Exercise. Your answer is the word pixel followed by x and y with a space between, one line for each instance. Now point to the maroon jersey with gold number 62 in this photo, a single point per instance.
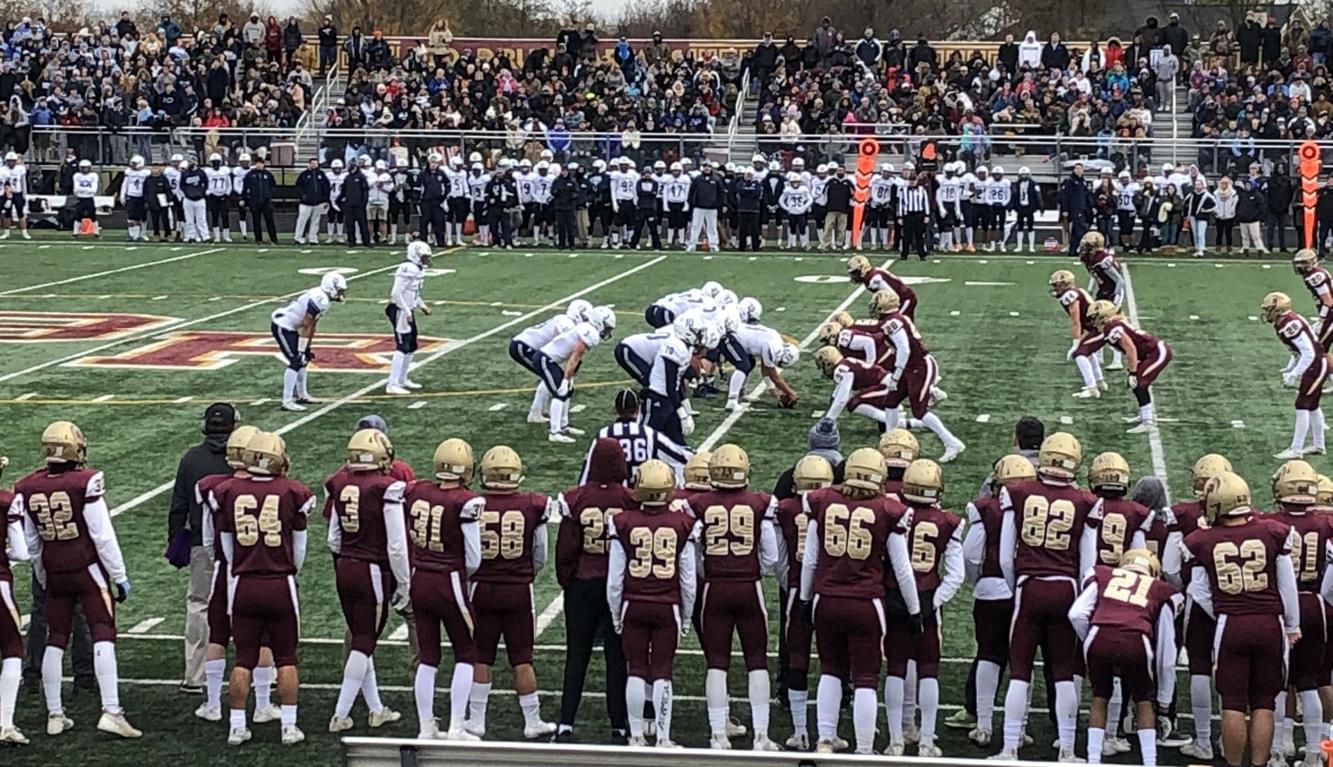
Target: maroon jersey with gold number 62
pixel 1242 565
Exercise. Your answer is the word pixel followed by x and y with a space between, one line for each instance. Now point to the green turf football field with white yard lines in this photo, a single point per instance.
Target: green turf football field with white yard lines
pixel 133 342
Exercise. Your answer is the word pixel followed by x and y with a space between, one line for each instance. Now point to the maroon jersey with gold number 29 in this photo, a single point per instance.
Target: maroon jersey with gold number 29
pixel 731 532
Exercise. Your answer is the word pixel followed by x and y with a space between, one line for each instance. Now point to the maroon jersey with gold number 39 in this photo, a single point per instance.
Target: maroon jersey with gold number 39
pixel 653 544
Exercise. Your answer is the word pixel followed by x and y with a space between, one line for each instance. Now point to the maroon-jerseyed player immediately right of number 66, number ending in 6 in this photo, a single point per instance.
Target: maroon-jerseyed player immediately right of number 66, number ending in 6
pixel 936 545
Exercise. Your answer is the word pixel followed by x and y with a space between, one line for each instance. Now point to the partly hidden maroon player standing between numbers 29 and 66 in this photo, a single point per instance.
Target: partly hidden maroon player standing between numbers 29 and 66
pixel 811 473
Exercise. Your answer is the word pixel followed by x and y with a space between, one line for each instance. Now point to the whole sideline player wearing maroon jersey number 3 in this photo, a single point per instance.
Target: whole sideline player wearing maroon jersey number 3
pixel 369 537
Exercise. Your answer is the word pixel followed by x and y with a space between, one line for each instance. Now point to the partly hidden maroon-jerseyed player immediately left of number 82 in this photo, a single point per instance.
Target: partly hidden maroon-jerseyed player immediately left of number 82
pixel 992 597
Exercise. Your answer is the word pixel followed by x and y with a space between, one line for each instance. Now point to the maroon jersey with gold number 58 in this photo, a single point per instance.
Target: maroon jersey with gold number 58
pixel 510 522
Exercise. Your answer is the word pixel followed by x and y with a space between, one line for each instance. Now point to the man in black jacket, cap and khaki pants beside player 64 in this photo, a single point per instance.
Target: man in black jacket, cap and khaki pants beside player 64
pixel 185 514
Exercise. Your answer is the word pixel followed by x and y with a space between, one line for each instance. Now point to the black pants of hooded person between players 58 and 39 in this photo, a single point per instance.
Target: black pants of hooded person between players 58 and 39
pixel 587 621
